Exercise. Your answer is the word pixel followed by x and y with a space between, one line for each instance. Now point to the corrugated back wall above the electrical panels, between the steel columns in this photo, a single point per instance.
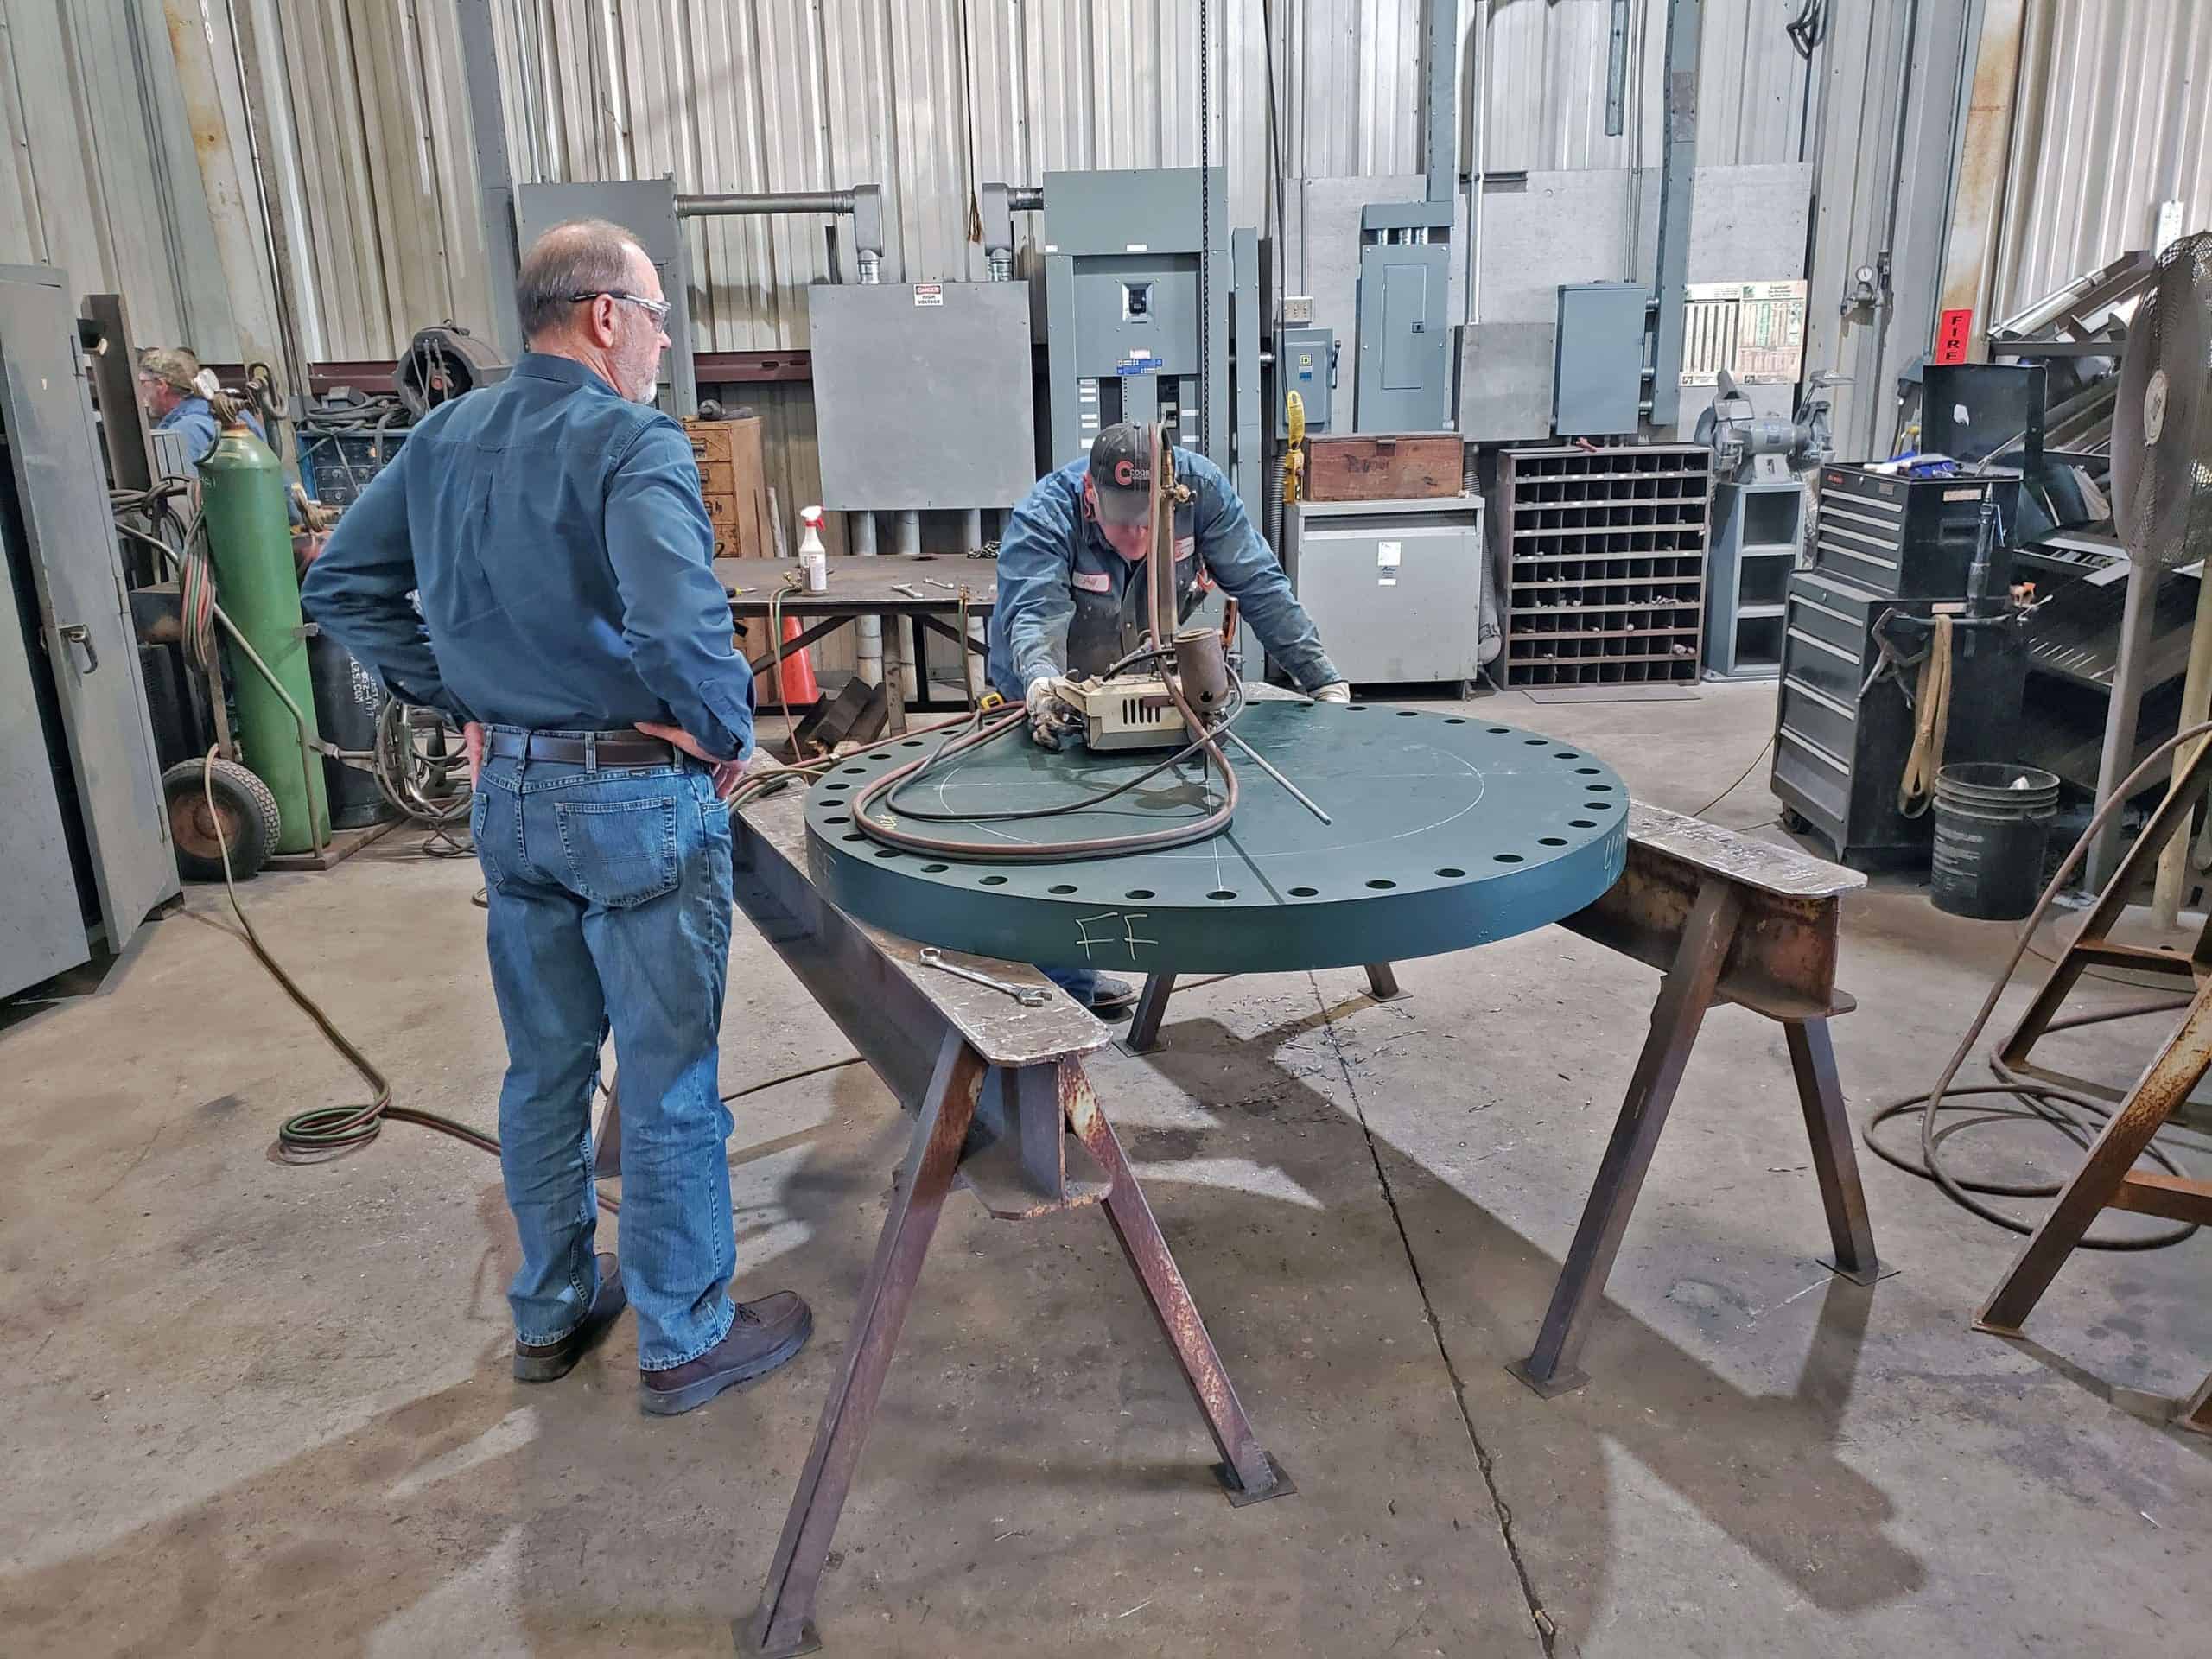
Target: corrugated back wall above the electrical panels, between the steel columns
pixel 937 96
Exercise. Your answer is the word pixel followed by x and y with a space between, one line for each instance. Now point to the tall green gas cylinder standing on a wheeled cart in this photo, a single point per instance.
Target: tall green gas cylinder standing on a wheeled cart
pixel 251 539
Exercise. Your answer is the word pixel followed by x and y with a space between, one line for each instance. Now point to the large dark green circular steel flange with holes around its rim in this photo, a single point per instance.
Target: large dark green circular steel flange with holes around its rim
pixel 1448 831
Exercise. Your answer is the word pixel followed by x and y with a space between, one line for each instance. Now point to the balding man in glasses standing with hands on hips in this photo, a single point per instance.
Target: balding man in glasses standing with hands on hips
pixel 554 532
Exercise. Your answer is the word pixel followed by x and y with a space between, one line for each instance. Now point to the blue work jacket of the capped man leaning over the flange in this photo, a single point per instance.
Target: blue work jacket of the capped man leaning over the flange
pixel 1070 605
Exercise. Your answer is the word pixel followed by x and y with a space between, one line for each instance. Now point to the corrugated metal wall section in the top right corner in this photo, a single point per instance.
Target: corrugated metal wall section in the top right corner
pixel 2116 116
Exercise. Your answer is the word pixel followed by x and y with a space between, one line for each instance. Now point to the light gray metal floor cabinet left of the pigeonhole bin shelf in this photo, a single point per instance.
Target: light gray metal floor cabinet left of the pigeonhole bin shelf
pixel 1392 587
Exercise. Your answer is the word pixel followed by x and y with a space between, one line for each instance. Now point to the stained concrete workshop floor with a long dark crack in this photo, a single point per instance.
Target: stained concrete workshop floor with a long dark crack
pixel 262 1410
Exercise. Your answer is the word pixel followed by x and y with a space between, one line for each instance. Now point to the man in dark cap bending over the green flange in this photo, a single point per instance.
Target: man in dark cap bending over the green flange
pixel 1072 587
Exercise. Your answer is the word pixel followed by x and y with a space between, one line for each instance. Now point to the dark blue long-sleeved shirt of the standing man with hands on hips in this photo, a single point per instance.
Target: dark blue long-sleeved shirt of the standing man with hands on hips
pixel 563 559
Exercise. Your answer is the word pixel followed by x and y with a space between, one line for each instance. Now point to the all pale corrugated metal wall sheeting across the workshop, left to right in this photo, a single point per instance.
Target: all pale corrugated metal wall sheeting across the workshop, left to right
pixel 129 156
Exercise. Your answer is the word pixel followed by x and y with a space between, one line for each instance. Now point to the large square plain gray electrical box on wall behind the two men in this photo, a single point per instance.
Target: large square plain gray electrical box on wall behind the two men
pixel 886 353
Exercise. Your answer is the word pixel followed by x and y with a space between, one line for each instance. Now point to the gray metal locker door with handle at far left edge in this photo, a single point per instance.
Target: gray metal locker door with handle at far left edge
pixel 85 616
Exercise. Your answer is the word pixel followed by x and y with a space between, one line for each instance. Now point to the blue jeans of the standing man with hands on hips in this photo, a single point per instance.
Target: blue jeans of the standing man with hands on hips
pixel 609 910
